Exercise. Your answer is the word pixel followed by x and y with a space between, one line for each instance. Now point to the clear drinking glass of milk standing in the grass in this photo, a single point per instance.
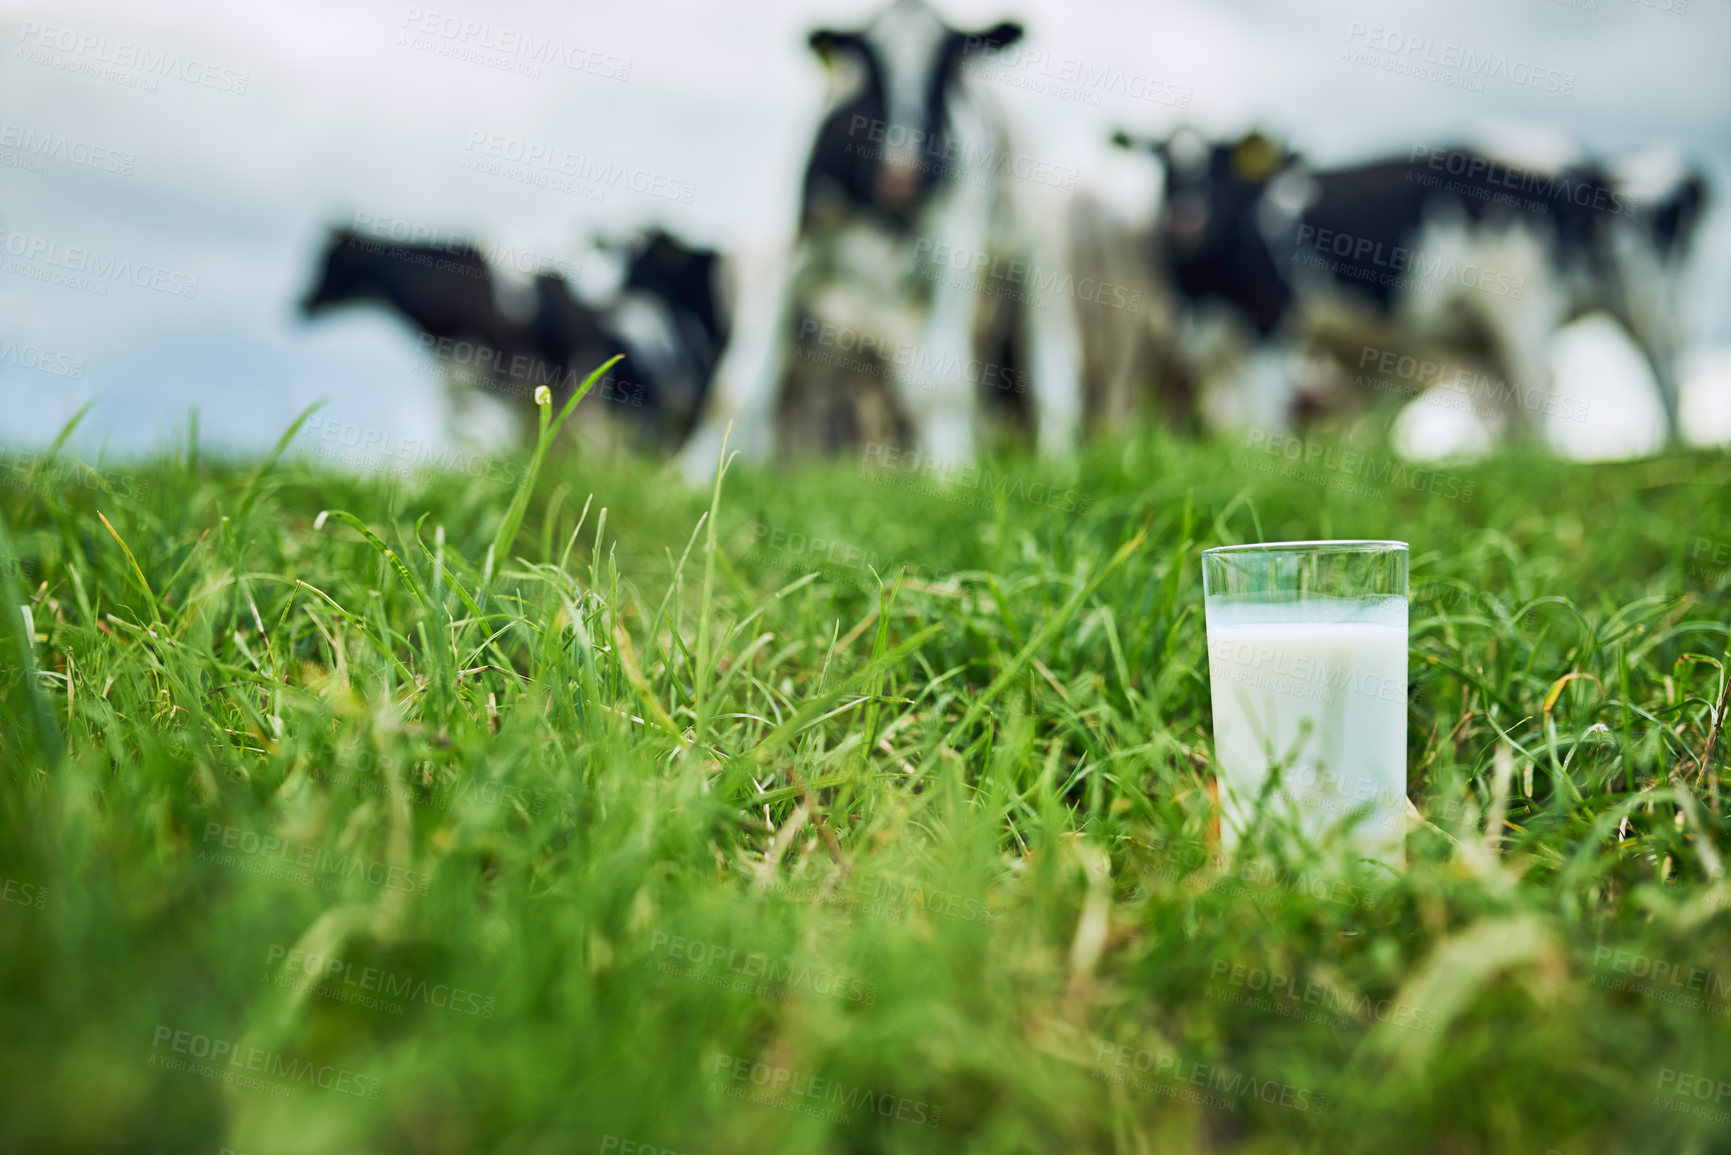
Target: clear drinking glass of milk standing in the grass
pixel 1308 647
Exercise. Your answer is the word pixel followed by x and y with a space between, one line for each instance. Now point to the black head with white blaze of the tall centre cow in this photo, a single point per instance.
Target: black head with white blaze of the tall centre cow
pixel 889 139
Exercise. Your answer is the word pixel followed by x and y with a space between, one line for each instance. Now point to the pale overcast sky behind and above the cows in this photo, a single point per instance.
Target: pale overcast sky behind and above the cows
pixel 302 113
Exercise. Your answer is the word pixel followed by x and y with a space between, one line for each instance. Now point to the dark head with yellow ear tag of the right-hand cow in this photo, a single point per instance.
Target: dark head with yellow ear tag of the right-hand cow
pixel 1216 193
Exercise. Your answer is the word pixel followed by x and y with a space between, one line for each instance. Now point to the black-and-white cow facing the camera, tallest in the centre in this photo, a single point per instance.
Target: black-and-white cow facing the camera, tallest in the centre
pixel 884 325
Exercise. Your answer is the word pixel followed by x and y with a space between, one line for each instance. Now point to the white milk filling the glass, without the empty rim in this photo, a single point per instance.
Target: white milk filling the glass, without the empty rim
pixel 1318 692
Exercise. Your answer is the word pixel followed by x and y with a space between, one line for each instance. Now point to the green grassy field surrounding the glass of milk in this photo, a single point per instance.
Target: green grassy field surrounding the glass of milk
pixel 849 811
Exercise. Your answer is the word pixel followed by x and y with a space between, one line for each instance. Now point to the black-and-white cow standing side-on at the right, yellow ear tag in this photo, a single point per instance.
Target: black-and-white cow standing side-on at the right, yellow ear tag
pixel 1453 255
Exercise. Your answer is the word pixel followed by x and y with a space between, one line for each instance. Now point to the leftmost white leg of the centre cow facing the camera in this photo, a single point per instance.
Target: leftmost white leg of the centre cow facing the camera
pixel 749 375
